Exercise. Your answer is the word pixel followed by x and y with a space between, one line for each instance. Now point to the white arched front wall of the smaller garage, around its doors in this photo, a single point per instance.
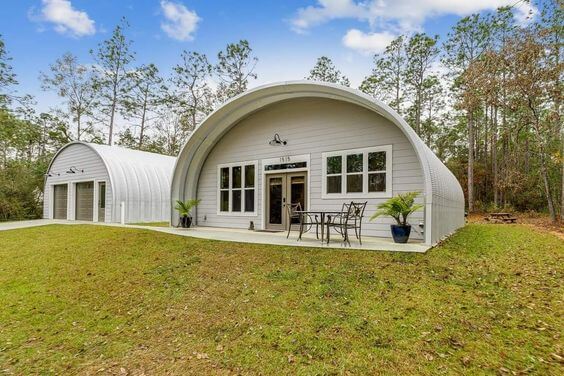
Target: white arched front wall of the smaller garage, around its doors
pixel 84 158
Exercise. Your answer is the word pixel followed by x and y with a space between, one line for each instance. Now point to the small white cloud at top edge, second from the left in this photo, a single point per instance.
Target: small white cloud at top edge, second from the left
pixel 181 23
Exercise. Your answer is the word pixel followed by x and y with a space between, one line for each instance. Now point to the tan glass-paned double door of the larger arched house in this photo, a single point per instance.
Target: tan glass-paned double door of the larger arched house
pixel 282 190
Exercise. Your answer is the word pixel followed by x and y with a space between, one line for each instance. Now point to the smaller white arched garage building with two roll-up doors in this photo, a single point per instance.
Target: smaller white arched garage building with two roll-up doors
pixel 102 183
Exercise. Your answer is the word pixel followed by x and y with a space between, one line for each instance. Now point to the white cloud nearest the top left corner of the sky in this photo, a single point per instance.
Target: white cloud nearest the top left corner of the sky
pixel 66 19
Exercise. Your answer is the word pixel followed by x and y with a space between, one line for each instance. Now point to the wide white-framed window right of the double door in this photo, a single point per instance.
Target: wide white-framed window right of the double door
pixel 357 173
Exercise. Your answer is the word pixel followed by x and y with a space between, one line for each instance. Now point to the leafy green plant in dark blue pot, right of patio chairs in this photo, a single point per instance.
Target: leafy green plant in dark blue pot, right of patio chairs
pixel 399 208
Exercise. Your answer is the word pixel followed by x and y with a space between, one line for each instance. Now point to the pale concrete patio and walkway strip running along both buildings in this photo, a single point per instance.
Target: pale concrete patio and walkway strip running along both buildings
pixel 246 236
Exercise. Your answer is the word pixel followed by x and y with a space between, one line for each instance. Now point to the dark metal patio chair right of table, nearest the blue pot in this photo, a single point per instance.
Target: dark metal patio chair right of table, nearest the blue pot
pixel 350 218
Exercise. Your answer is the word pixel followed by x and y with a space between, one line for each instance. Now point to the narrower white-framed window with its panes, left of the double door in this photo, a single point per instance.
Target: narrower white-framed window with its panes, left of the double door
pixel 237 188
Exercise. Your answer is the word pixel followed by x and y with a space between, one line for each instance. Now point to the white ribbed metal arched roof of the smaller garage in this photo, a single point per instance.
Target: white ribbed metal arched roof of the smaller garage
pixel 140 179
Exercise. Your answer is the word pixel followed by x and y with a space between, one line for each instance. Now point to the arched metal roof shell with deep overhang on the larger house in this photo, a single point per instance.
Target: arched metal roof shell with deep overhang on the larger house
pixel 443 193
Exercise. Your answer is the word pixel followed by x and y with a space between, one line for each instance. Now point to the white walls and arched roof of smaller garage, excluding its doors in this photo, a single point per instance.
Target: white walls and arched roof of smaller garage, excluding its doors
pixel 138 179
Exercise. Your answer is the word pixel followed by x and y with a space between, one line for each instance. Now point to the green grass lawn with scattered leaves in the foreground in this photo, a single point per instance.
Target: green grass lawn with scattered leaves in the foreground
pixel 87 299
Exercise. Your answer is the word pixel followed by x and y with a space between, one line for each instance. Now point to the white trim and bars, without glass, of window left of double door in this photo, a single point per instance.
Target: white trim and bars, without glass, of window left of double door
pixel 241 213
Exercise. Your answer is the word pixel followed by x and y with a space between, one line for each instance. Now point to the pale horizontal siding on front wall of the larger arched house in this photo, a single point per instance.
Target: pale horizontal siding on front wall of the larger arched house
pixel 311 126
